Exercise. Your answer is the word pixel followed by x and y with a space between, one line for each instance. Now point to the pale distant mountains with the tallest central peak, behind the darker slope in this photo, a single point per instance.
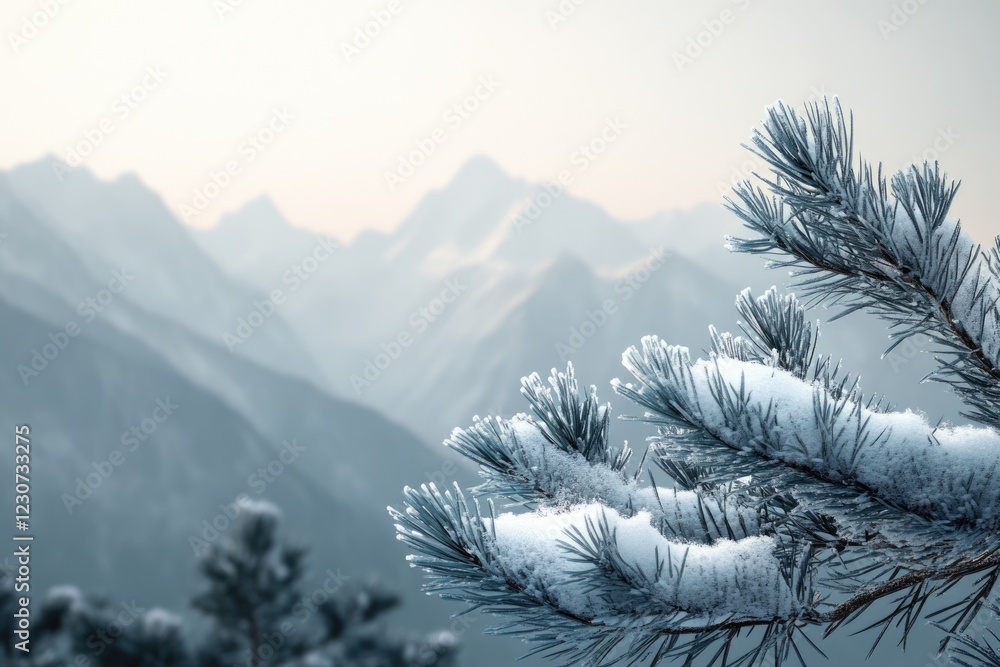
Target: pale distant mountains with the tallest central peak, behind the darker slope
pixel 535 287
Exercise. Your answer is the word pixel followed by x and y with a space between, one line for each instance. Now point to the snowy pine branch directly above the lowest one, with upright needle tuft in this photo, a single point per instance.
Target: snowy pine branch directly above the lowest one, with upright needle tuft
pixel 563 457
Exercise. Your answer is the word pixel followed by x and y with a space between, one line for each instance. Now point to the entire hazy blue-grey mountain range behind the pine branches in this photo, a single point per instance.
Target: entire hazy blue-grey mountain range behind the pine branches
pixel 359 358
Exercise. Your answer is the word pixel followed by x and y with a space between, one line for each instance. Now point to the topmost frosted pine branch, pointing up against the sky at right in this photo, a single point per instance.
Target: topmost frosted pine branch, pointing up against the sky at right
pixel 853 238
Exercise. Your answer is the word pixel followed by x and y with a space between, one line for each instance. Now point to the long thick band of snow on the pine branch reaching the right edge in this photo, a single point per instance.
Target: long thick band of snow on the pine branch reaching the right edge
pixel 949 474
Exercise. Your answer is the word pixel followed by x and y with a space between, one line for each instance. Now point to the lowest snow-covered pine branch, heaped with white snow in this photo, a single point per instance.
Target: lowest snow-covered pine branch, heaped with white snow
pixel 584 581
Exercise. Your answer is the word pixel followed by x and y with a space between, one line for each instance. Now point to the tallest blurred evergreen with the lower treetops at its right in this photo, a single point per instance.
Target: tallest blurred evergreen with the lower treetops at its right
pixel 255 600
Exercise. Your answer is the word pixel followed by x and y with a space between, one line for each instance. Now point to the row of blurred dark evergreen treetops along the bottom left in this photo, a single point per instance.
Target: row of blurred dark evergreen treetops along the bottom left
pixel 254 599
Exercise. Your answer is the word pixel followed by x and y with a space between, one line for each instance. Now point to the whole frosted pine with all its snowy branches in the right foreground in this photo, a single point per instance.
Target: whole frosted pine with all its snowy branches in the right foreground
pixel 797 502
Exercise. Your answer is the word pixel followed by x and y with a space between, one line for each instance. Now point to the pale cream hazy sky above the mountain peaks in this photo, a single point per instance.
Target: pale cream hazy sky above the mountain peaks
pixel 226 66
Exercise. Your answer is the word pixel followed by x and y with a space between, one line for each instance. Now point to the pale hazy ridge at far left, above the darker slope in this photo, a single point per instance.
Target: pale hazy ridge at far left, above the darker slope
pixel 123 224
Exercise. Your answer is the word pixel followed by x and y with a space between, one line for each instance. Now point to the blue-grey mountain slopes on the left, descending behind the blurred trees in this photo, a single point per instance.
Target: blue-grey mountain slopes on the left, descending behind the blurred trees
pixel 147 431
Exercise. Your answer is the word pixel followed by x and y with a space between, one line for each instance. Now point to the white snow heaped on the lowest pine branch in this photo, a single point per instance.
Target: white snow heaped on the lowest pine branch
pixel 741 578
